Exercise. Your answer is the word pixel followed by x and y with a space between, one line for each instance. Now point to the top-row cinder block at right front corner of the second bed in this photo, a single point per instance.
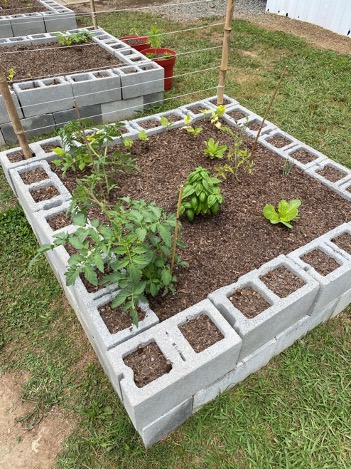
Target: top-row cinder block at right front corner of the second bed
pixel 141 80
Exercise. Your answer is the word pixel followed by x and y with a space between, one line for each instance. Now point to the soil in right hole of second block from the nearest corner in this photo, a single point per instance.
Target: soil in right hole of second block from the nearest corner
pixel 282 281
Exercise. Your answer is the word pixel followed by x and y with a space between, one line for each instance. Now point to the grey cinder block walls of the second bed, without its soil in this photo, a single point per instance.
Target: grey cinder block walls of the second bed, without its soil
pixel 105 95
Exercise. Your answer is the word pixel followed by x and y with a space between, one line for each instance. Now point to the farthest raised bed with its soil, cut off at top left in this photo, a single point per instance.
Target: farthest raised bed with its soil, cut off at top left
pixel 20 18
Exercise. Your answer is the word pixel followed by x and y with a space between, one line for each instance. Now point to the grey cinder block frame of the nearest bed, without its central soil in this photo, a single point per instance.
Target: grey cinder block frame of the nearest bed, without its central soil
pixel 192 377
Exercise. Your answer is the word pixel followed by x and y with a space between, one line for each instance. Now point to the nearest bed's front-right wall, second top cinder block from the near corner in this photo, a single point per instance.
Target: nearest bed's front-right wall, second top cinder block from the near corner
pixel 282 313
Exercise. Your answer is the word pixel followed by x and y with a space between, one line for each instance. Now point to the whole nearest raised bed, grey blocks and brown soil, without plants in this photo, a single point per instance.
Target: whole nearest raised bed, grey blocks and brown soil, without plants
pixel 264 283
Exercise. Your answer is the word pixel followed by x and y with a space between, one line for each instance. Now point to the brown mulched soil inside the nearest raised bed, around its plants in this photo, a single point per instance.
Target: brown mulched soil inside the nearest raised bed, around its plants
pixel 238 239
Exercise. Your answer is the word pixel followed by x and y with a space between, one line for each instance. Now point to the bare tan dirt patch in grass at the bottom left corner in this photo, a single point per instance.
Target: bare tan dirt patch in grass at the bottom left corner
pixel 27 449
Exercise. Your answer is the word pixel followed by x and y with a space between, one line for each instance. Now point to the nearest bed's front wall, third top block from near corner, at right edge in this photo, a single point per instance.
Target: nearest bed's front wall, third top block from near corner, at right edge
pixel 333 285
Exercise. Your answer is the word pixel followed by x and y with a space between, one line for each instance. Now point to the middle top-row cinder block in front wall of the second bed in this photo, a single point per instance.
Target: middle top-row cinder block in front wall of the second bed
pixel 95 87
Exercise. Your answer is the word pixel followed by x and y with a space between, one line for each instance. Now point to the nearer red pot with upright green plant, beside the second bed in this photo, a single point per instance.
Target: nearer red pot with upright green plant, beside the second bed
pixel 162 56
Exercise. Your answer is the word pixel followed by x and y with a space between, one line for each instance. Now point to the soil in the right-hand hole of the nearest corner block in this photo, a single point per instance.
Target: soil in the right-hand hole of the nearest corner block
pixel 201 333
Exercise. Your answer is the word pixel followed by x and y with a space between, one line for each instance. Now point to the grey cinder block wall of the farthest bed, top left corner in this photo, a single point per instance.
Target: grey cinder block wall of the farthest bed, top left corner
pixel 54 17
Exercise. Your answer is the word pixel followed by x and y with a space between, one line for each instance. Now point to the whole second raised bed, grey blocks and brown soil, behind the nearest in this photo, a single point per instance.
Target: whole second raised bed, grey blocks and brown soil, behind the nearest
pixel 119 82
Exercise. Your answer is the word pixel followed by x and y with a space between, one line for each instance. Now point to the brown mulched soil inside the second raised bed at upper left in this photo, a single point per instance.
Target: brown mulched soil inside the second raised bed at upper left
pixel 53 60
